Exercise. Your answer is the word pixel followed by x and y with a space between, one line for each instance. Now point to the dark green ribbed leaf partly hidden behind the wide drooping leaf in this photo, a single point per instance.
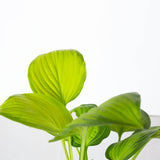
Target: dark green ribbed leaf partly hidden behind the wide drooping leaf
pixel 94 134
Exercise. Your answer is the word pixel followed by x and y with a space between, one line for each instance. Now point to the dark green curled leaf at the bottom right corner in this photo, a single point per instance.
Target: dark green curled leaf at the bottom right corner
pixel 126 148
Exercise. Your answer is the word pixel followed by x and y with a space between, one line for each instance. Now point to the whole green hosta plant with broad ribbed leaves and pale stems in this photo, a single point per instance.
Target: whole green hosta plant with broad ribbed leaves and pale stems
pixel 56 78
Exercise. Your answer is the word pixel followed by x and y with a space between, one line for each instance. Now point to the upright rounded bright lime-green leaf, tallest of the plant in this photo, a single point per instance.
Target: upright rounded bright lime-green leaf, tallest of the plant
pixel 60 74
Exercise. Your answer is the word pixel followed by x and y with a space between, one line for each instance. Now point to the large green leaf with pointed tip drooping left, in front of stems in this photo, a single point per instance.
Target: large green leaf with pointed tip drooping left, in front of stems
pixel 120 111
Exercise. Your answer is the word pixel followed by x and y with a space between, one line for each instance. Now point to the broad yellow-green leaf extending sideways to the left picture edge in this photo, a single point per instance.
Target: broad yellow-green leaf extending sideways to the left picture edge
pixel 38 111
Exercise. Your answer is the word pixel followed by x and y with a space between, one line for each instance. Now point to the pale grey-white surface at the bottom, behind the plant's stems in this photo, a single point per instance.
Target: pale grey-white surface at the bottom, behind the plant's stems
pixel 19 142
